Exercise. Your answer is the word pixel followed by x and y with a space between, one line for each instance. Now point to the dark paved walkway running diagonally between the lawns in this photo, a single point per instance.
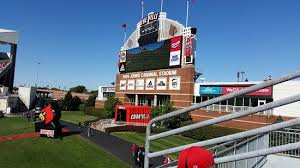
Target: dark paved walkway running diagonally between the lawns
pixel 114 145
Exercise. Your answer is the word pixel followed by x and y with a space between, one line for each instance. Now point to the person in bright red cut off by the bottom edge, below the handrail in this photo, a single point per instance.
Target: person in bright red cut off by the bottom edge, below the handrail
pixel 196 157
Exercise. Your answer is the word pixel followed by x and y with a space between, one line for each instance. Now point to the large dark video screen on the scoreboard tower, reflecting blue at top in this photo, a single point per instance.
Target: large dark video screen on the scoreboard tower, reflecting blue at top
pixel 148 57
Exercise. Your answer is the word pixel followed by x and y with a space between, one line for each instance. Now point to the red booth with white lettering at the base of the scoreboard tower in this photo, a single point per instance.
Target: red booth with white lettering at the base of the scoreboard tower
pixel 132 114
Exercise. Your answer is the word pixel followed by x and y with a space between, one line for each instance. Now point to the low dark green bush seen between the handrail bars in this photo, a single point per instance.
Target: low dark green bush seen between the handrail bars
pixel 208 132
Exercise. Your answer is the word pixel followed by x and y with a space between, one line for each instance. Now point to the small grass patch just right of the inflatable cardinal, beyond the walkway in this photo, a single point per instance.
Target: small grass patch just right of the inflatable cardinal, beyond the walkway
pixel 76 116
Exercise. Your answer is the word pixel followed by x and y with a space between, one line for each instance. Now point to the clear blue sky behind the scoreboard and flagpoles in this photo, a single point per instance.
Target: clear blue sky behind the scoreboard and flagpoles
pixel 77 42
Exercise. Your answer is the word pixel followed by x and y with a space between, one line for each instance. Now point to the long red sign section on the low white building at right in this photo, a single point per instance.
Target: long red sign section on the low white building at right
pixel 262 92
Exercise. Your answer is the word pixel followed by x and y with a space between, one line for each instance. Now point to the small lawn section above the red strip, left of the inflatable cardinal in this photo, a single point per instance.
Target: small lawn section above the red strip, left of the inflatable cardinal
pixel 16 125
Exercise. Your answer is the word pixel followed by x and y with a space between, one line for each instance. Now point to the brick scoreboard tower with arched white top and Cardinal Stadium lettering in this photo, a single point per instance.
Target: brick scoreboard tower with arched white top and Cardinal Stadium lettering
pixel 157 62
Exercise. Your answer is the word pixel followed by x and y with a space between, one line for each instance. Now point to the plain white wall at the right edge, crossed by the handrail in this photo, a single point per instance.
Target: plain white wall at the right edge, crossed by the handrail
pixel 285 90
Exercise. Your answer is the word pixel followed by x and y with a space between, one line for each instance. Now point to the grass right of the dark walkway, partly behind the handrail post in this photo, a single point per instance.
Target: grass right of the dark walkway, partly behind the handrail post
pixel 160 144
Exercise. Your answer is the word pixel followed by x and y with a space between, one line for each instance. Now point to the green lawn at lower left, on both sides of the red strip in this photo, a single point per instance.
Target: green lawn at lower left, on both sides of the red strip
pixel 73 151
